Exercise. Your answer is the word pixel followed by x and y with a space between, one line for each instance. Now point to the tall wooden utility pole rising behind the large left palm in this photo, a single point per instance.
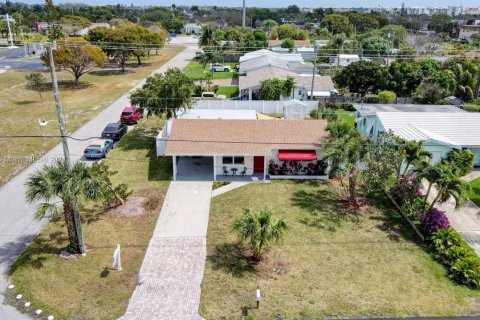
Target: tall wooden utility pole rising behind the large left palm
pixel 66 152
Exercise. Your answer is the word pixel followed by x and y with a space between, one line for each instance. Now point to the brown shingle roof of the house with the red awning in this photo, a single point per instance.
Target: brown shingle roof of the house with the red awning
pixel 243 137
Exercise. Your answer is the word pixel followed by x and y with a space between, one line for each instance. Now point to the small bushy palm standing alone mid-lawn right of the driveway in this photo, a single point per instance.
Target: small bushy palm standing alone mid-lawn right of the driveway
pixel 259 229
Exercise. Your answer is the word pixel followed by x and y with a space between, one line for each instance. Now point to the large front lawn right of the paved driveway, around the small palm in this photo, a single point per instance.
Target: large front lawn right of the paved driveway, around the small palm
pixel 332 261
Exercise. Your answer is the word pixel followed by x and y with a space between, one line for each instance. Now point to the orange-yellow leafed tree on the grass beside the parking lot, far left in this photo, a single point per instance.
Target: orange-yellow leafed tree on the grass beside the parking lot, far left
pixel 77 56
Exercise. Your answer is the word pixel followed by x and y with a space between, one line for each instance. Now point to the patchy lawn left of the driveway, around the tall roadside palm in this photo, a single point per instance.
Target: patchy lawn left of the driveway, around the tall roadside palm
pixel 87 288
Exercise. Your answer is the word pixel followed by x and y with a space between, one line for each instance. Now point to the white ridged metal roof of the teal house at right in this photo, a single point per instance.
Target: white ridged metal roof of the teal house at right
pixel 457 129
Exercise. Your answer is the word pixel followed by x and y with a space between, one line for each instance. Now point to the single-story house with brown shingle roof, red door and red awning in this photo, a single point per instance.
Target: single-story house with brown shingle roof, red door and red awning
pixel 245 149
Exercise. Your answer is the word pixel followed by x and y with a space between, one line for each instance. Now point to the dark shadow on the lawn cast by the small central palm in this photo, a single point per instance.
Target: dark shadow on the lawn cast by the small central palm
pixel 231 258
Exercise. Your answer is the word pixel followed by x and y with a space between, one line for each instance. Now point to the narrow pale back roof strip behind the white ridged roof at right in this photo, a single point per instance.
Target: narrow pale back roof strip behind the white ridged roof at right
pixel 371 109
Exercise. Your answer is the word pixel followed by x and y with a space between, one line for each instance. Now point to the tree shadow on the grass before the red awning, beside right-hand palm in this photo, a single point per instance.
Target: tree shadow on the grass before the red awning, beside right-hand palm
pixel 326 210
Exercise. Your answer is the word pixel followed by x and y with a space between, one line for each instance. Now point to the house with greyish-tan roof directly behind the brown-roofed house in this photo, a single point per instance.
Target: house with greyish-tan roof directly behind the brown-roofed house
pixel 249 85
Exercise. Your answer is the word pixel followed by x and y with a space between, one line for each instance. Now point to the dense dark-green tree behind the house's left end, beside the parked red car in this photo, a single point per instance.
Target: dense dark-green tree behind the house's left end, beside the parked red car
pixel 165 93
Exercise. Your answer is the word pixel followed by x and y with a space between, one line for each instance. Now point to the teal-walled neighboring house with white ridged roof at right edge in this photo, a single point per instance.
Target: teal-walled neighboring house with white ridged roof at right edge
pixel 442 128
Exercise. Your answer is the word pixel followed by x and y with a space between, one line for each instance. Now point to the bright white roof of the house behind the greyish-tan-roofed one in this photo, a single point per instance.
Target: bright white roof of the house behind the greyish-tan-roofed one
pixel 267 60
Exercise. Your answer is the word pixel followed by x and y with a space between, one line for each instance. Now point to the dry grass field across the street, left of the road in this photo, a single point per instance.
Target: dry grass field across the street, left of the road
pixel 21 107
